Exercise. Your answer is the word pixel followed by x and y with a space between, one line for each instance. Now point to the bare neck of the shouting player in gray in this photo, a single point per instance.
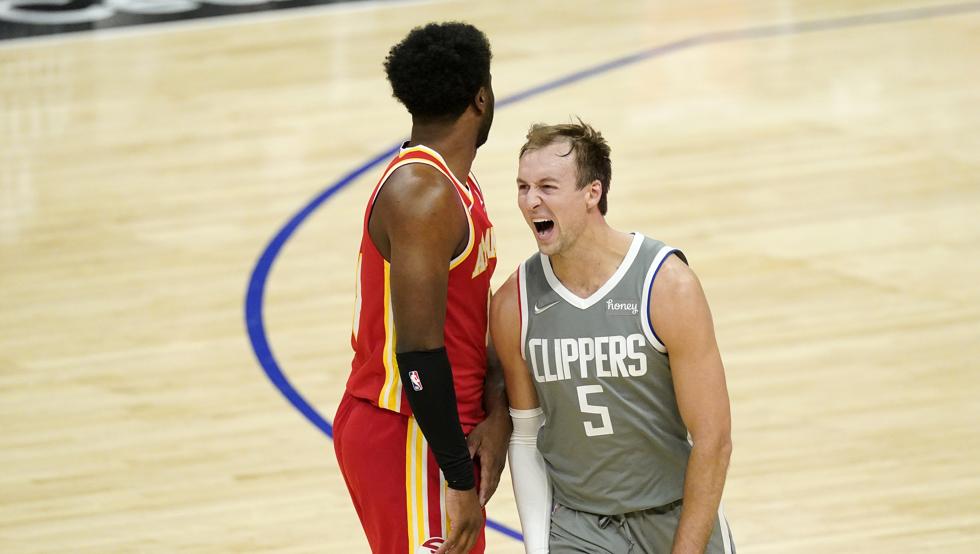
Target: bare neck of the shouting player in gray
pixel 592 259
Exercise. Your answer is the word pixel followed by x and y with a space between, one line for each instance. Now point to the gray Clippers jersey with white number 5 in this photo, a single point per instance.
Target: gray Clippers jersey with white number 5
pixel 613 439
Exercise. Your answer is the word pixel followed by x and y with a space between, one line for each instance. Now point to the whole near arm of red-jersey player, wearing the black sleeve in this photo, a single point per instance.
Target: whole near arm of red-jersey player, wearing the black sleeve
pixel 417 224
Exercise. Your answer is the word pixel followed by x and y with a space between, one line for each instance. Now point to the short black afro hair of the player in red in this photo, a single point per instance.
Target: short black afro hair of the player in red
pixel 438 69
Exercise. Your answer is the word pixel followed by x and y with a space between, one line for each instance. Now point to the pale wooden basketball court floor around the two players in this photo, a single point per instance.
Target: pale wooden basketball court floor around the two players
pixel 819 162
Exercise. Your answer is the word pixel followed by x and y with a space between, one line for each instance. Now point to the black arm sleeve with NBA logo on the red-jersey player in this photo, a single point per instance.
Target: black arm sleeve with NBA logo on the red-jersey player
pixel 428 382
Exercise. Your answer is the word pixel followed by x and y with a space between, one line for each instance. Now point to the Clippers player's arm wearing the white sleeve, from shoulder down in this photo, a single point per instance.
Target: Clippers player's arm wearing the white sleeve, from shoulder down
pixel 532 491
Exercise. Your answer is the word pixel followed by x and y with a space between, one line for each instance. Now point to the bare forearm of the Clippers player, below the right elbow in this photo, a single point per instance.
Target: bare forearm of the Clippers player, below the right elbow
pixel 703 485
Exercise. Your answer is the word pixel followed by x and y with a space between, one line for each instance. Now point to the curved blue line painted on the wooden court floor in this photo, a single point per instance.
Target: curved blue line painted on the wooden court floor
pixel 254 322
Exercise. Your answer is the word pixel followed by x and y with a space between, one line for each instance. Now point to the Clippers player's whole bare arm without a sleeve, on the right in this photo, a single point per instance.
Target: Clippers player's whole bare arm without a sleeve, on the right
pixel 682 319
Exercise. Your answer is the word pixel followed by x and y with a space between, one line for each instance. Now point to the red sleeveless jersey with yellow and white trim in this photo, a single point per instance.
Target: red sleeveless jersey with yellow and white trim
pixel 374 369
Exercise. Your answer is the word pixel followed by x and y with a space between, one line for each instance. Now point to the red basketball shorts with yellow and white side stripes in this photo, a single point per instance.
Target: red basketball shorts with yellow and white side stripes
pixel 393 478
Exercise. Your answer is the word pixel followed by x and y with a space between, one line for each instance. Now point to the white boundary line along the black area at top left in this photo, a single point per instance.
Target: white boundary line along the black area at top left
pixel 206 22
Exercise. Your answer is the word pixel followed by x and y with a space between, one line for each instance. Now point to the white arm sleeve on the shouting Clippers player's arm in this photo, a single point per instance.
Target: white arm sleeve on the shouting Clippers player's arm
pixel 532 490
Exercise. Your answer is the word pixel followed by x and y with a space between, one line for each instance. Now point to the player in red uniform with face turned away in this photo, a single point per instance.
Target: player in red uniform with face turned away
pixel 420 397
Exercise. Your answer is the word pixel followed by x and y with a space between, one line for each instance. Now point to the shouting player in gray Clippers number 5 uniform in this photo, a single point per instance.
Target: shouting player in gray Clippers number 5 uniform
pixel 617 448
